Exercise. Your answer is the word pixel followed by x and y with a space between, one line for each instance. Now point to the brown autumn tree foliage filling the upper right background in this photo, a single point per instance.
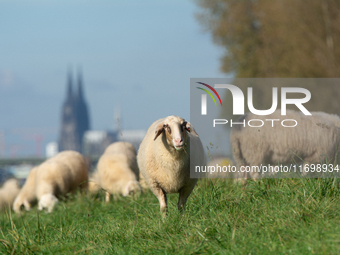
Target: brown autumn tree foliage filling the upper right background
pixel 292 38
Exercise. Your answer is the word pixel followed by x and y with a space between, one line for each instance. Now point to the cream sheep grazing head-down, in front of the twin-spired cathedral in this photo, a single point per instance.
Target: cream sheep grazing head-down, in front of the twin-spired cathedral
pixel 60 175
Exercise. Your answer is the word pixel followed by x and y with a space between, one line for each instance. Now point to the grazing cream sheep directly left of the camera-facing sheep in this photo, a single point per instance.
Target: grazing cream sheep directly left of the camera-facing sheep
pixel 118 171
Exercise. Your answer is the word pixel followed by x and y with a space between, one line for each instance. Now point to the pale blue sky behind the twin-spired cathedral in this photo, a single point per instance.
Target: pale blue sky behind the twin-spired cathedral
pixel 138 55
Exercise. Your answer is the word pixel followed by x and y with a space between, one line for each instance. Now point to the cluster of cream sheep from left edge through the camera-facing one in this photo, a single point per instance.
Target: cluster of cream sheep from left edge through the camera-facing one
pixel 162 164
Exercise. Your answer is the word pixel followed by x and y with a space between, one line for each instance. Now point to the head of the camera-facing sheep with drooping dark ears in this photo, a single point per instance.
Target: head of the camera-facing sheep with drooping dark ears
pixel 176 131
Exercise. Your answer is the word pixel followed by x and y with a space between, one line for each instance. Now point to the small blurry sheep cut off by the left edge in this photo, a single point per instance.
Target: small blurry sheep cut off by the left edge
pixel 8 193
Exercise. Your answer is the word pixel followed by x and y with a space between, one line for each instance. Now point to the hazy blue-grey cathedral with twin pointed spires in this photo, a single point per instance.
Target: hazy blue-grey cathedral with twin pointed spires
pixel 74 118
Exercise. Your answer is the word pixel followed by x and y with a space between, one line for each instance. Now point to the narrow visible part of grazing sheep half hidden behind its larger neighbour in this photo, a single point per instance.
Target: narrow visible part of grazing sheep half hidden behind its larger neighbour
pixel 26 195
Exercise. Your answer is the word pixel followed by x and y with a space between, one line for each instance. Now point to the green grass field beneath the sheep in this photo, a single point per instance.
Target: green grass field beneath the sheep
pixel 272 216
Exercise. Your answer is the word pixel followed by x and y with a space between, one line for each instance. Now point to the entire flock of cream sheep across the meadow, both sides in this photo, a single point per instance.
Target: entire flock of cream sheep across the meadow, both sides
pixel 164 160
